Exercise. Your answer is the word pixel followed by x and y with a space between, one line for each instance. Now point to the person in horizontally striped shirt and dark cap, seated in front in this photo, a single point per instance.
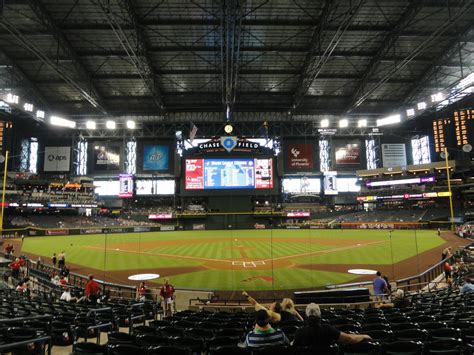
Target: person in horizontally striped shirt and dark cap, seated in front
pixel 263 334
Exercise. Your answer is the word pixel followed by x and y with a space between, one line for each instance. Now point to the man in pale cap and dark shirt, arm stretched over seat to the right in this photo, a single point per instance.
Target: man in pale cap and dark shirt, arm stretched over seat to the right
pixel 322 335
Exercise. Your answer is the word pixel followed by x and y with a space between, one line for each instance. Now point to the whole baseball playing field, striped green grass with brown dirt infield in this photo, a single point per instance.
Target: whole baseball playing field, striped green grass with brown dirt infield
pixel 232 260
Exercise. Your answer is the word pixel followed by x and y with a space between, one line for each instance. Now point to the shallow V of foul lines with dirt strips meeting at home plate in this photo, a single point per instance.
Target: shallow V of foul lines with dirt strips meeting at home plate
pixel 327 251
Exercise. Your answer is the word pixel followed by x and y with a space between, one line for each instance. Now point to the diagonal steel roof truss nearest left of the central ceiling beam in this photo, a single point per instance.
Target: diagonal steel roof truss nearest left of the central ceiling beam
pixel 137 50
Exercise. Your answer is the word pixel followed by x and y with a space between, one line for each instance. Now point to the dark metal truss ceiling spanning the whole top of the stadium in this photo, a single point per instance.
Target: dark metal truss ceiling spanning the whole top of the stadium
pixel 289 58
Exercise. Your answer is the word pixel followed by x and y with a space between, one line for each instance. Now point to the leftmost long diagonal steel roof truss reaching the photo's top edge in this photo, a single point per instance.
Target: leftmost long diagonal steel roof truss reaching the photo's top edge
pixel 90 92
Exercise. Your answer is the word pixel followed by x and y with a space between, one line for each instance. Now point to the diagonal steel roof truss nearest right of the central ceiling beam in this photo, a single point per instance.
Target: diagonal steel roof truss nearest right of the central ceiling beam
pixel 316 58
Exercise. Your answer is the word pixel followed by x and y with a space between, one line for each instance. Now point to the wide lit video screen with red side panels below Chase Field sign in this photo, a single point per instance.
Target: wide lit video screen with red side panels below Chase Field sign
pixel 238 173
